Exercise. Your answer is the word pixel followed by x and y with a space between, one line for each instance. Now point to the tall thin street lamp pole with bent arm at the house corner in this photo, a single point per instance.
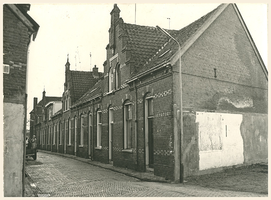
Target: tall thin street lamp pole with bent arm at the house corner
pixel 178 114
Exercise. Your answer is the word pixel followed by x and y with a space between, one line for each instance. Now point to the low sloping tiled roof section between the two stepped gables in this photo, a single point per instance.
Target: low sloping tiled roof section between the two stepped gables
pixel 93 92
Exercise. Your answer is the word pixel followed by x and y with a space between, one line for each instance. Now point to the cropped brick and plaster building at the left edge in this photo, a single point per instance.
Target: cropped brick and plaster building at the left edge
pixel 18 30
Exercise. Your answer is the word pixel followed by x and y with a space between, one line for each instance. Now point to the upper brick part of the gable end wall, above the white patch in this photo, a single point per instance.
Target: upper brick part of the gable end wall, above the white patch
pixel 239 85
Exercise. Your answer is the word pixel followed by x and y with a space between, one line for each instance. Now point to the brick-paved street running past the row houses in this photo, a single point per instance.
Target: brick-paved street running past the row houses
pixel 57 176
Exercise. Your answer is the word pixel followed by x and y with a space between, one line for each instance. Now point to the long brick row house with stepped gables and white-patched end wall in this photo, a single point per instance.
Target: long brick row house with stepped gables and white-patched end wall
pixel 209 74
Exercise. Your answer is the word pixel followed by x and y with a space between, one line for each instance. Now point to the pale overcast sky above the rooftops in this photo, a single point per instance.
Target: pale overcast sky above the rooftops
pixel 81 29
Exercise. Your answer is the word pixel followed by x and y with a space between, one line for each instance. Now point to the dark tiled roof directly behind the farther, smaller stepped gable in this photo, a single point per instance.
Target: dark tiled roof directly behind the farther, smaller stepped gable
pixel 81 82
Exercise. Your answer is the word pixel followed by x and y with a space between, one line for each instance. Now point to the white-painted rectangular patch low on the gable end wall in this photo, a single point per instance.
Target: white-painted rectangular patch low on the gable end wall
pixel 220 140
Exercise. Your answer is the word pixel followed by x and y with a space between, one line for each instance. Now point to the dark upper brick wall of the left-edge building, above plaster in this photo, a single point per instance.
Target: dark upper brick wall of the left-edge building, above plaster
pixel 15 45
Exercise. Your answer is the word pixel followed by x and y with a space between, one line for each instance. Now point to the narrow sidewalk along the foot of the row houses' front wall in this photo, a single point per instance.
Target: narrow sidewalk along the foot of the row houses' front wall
pixel 143 176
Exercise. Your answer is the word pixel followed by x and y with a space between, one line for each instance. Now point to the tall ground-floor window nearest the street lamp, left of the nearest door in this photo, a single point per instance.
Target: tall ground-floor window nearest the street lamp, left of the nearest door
pixel 127 126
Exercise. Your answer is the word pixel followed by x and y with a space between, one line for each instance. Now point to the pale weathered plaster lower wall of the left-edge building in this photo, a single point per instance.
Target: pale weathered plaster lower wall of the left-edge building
pixel 13 149
